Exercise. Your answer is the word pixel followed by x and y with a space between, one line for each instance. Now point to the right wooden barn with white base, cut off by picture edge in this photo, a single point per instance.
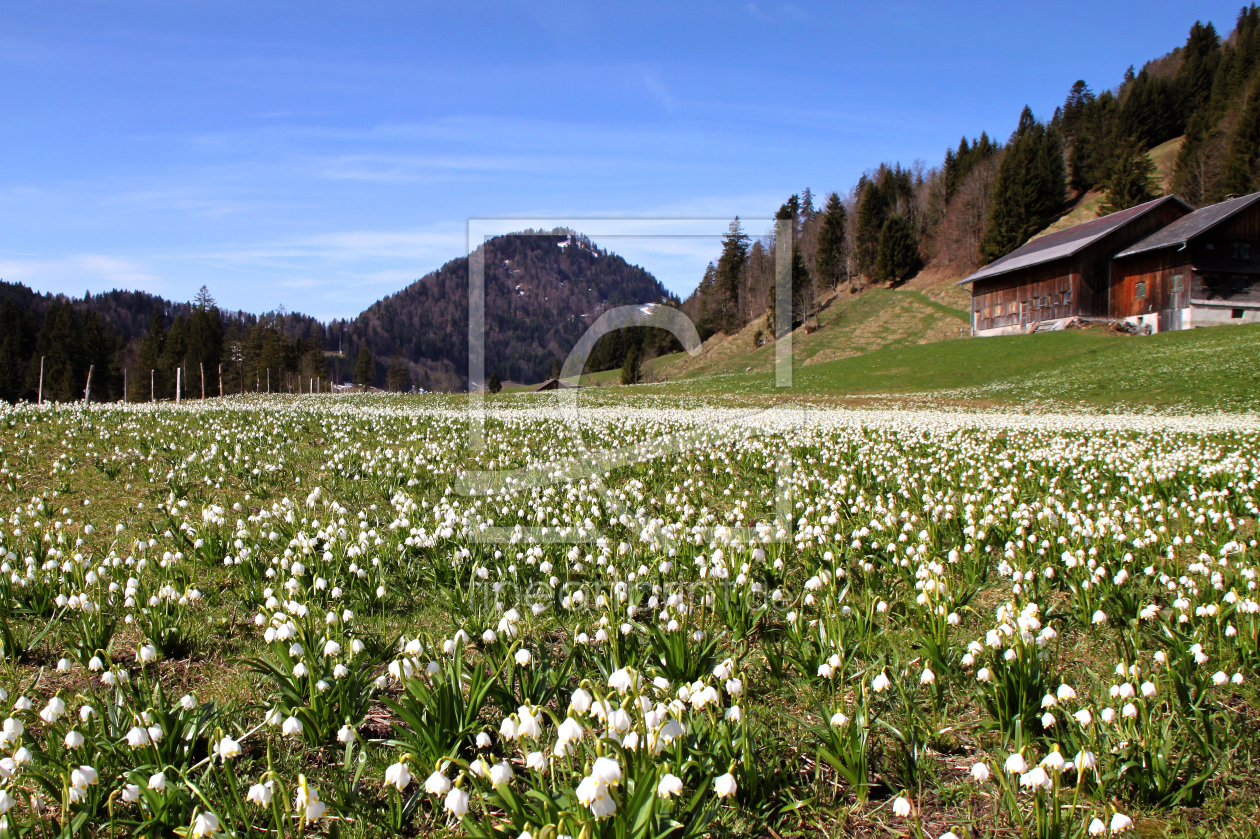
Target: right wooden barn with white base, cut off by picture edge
pixel 1203 270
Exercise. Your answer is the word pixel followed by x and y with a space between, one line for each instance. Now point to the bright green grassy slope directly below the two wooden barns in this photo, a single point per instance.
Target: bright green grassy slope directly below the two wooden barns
pixel 1208 368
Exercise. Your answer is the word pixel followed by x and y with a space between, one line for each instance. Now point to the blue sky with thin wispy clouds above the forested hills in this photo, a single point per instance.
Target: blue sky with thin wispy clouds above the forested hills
pixel 319 156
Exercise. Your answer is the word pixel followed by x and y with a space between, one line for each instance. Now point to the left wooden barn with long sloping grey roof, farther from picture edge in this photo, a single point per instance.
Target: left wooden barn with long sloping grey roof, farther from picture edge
pixel 1063 275
